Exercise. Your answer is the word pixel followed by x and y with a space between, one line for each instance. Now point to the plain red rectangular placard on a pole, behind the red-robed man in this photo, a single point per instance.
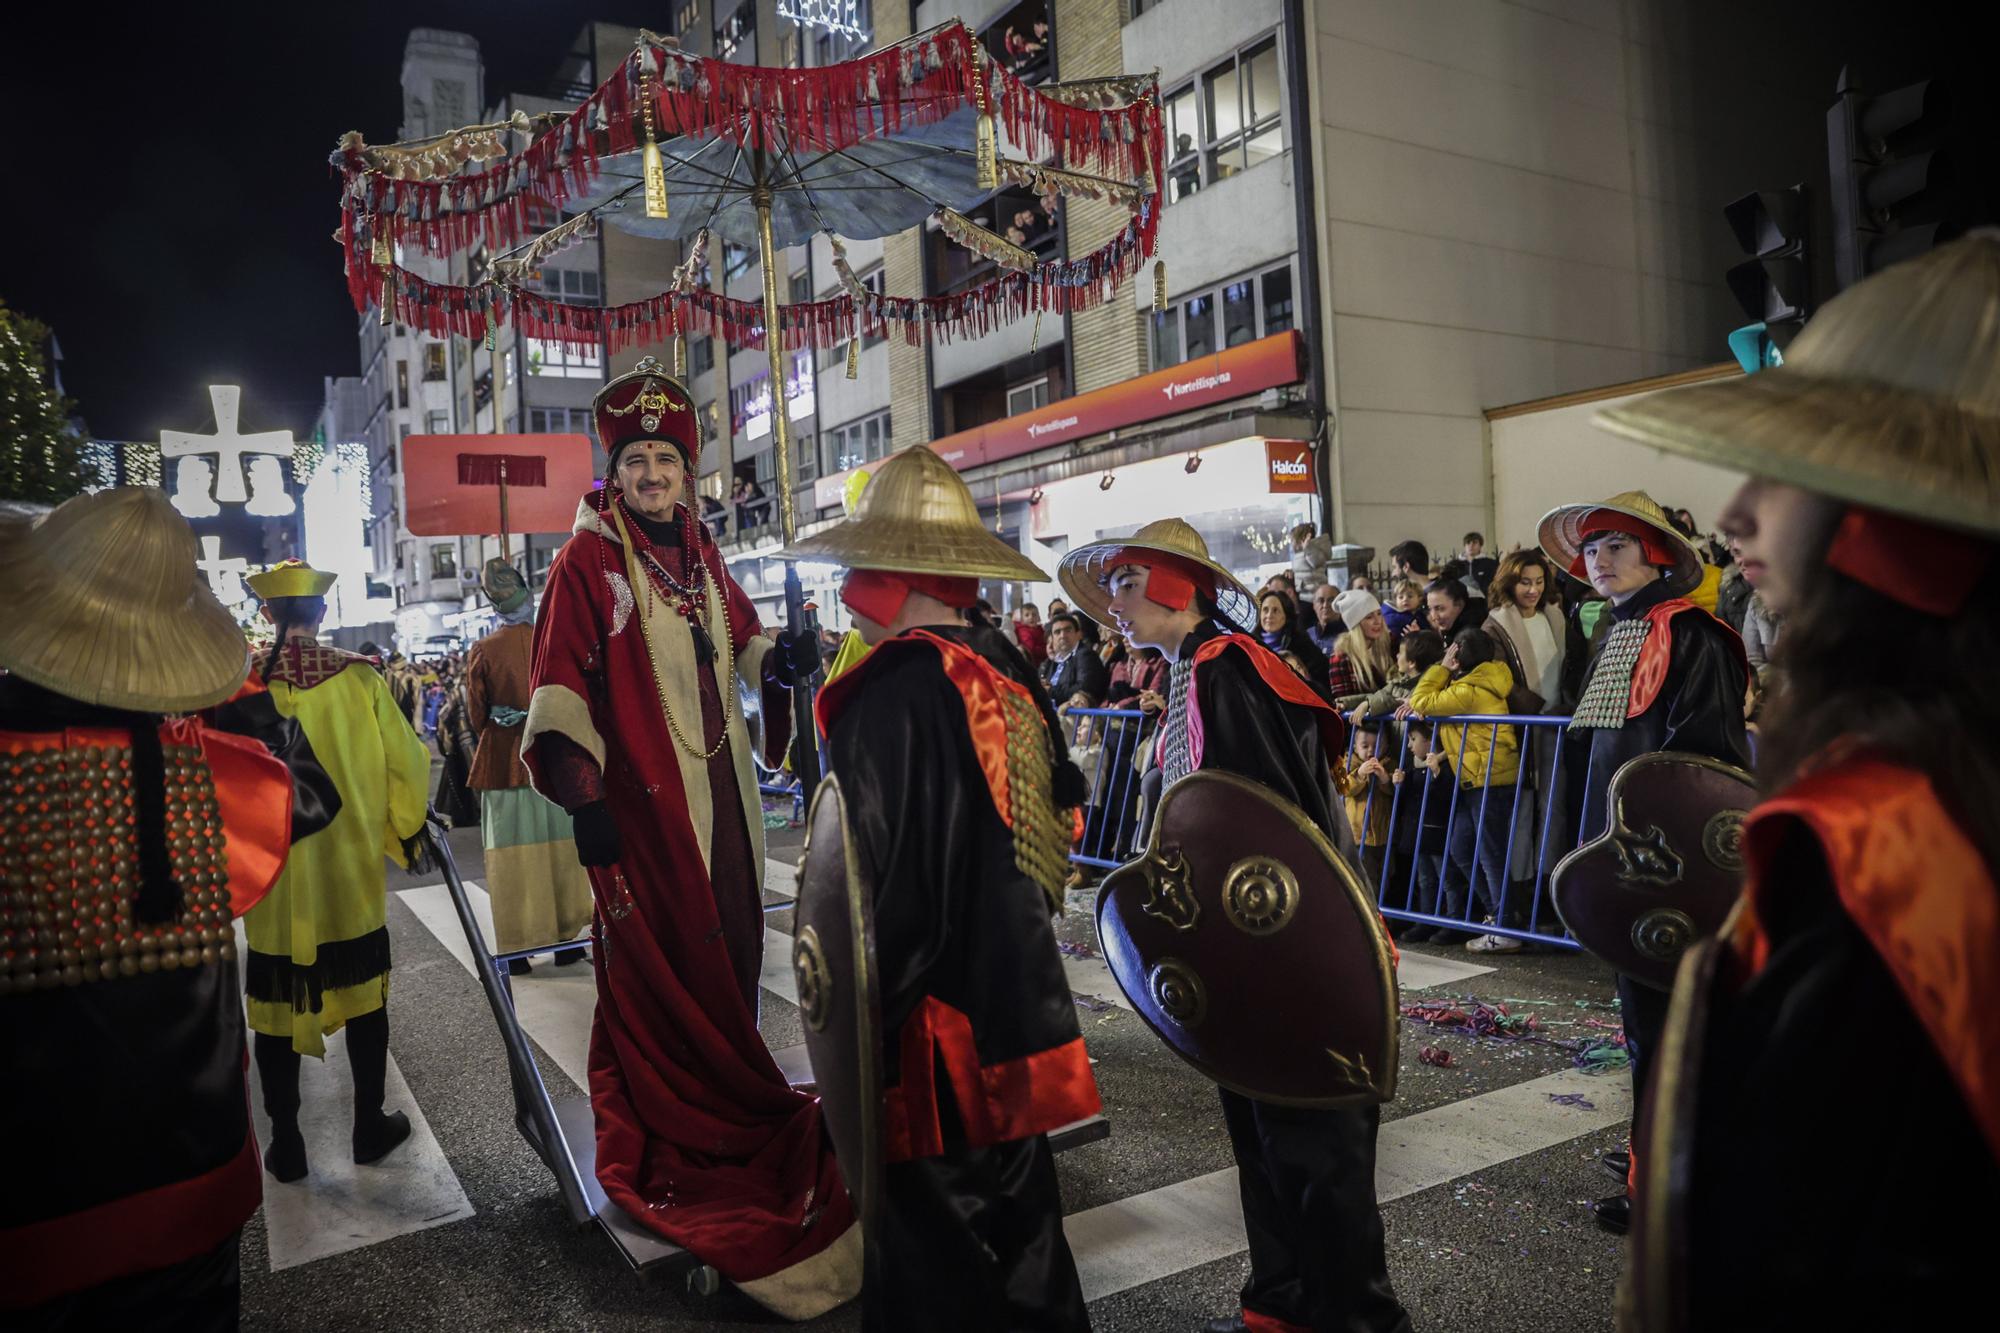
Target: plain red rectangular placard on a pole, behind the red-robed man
pixel 451 483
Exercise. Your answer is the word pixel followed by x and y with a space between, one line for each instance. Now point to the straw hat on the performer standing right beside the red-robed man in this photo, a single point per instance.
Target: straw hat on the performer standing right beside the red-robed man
pixel 917 517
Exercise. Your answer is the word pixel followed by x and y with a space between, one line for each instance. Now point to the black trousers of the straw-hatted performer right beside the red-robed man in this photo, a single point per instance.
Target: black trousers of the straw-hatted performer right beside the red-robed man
pixel 973 1242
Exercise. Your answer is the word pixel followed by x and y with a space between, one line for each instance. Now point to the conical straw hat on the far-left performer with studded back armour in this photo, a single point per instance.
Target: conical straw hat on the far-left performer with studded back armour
pixel 105 605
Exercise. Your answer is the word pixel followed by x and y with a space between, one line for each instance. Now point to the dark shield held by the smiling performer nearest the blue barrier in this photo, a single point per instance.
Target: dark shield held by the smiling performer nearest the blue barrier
pixel 1665 872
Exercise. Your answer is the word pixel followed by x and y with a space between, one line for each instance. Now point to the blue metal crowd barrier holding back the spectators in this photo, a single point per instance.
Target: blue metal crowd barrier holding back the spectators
pixel 1445 852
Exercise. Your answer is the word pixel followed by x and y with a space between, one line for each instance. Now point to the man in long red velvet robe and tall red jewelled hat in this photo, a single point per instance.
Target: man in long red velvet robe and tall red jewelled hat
pixel 633 728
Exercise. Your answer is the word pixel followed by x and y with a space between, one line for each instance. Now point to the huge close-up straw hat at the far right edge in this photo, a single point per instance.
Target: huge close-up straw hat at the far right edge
pixel 1889 397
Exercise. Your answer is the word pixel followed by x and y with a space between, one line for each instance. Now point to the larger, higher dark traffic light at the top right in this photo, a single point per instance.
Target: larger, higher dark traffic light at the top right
pixel 1893 181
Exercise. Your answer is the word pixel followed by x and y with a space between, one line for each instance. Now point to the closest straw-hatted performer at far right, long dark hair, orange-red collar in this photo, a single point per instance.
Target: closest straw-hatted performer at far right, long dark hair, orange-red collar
pixel 1785 1182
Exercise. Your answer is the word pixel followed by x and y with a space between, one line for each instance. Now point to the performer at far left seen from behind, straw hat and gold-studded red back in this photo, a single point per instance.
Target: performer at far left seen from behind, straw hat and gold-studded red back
pixel 131 840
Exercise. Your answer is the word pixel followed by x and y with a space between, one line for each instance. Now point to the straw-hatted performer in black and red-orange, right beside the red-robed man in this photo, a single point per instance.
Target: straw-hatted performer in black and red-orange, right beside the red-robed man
pixel 963 808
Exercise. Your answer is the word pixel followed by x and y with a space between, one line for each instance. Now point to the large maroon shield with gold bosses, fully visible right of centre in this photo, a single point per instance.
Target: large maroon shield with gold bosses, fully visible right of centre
pixel 1253 950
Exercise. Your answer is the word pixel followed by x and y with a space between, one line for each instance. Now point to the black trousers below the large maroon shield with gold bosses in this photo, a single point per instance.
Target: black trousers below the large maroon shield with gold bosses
pixel 1317 1252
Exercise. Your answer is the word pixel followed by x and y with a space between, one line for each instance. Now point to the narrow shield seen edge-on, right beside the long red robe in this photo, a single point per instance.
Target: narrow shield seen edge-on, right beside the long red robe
pixel 839 996
